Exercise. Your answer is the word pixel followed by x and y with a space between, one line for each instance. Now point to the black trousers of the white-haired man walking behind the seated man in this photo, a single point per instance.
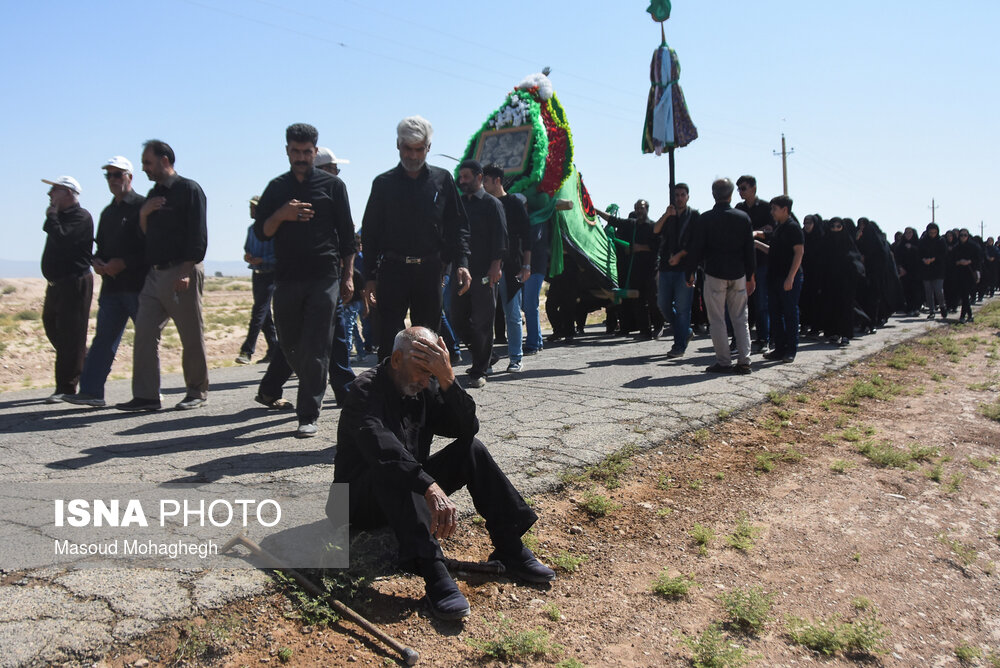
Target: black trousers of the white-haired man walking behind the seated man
pixel 402 287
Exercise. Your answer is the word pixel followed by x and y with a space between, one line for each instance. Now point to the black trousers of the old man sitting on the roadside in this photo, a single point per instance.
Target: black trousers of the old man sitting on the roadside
pixel 463 463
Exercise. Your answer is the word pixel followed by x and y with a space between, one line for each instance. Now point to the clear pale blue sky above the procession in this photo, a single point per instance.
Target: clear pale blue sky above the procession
pixel 887 104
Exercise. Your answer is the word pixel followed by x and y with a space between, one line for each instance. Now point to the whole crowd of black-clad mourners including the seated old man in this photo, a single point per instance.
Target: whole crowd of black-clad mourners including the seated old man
pixel 444 264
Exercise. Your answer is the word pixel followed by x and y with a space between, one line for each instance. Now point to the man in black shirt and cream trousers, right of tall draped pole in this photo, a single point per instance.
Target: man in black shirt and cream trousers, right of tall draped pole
pixel 726 246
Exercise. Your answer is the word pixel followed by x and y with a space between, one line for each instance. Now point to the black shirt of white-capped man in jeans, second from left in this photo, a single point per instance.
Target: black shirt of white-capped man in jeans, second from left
pixel 119 236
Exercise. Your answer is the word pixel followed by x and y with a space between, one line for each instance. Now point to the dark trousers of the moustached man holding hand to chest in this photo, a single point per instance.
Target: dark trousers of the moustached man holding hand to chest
pixel 304 315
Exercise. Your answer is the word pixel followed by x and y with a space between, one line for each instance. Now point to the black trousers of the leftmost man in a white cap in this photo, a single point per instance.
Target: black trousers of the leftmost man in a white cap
pixel 65 316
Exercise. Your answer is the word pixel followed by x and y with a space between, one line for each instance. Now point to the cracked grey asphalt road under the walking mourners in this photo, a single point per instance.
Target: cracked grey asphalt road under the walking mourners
pixel 571 406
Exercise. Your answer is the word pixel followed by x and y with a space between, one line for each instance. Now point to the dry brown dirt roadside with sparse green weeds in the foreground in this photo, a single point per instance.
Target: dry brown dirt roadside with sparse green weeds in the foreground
pixel 867 500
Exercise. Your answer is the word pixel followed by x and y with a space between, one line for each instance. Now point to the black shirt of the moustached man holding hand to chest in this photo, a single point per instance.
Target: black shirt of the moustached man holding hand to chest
pixel 309 249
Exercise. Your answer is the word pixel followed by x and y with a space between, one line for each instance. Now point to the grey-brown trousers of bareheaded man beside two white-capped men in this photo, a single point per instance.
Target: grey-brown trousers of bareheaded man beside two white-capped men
pixel 158 303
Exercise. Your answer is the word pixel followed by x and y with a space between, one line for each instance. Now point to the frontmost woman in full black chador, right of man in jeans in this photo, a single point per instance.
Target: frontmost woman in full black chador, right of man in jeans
pixel 842 270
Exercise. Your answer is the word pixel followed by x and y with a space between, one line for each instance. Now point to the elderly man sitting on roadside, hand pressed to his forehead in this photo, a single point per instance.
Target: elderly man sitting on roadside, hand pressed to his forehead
pixel 392 413
